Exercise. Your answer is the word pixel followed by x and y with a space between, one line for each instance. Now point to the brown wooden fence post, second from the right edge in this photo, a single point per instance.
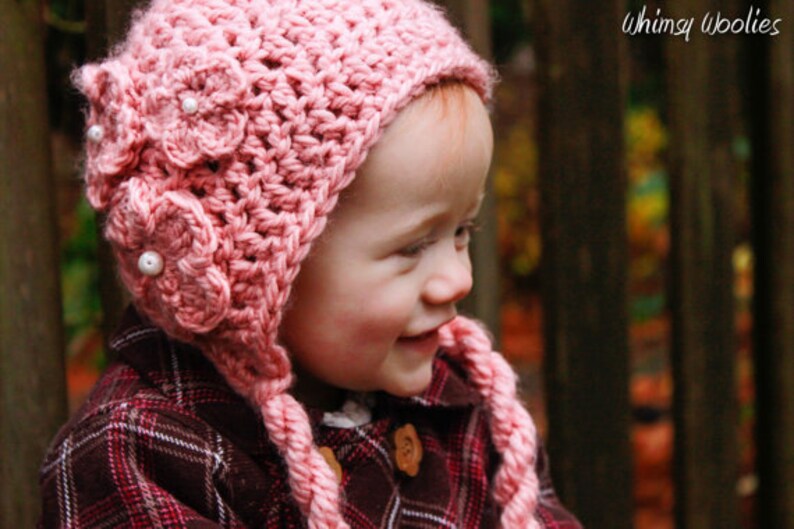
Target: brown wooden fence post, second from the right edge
pixel 702 100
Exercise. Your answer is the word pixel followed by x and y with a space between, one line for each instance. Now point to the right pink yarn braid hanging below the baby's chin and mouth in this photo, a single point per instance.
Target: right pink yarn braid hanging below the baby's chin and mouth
pixel 512 429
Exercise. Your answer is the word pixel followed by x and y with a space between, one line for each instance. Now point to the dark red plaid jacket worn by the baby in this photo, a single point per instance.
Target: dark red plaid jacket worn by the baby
pixel 164 442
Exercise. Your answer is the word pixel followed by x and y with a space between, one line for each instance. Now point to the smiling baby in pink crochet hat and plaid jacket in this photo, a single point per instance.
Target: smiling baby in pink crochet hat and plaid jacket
pixel 290 189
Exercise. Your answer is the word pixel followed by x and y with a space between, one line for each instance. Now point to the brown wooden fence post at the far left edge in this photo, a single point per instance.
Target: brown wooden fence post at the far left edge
pixel 32 386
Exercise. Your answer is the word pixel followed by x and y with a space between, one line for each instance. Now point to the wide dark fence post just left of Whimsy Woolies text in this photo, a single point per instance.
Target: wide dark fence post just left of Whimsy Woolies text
pixel 583 269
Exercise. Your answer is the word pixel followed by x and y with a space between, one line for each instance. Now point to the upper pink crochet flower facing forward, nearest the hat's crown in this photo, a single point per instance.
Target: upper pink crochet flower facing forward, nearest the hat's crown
pixel 196 112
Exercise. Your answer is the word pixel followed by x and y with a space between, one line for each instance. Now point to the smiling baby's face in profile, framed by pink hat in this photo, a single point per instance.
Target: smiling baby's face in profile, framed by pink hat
pixel 394 258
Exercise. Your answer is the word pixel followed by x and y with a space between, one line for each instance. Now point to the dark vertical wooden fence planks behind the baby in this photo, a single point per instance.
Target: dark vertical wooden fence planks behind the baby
pixel 582 76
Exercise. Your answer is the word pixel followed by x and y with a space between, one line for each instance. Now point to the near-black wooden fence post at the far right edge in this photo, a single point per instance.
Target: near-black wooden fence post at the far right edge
pixel 772 70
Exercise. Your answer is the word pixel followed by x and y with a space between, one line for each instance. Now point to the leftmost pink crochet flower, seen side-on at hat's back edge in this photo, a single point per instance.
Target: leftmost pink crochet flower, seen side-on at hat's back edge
pixel 114 133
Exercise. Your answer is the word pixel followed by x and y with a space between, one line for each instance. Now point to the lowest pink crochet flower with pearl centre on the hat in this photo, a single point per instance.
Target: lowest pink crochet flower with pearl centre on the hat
pixel 165 245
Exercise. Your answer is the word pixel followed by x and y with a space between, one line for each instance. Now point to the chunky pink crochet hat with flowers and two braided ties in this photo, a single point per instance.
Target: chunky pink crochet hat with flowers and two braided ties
pixel 220 135
